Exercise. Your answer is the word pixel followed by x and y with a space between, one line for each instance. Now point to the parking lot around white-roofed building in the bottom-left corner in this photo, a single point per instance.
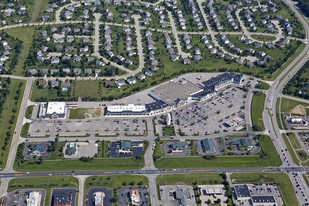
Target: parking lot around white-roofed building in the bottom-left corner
pixel 19 197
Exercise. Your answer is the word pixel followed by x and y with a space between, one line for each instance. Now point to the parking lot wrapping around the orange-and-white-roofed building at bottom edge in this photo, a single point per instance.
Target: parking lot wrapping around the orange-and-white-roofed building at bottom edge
pixel 124 196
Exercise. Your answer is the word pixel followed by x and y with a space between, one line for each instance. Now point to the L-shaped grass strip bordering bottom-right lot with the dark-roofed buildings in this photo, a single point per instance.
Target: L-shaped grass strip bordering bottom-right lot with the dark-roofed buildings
pixel 281 179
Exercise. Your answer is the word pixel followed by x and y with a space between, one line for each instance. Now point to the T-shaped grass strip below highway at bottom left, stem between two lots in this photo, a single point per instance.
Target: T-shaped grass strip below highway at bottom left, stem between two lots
pixel 46 183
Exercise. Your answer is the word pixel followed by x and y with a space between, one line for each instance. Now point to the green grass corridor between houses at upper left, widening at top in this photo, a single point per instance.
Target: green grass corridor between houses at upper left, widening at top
pixel 25 35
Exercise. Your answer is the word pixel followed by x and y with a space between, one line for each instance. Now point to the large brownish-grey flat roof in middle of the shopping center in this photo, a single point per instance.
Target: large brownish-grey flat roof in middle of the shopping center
pixel 172 91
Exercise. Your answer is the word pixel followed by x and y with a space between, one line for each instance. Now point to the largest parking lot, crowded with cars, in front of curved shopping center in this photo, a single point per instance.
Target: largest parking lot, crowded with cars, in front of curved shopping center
pixel 209 116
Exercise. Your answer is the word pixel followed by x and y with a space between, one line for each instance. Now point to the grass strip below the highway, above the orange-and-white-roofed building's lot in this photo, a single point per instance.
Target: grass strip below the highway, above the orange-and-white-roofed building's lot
pixel 114 182
